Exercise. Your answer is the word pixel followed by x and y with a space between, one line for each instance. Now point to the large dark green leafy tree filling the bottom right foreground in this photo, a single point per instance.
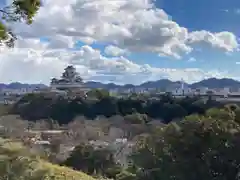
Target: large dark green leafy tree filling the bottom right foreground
pixel 197 149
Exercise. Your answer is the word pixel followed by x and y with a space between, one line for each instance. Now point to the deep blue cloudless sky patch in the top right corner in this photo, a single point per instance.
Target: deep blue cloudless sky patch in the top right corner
pixel 213 15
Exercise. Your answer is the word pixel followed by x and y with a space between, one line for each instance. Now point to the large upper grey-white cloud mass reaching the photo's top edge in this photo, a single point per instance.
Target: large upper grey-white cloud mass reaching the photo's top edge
pixel 133 24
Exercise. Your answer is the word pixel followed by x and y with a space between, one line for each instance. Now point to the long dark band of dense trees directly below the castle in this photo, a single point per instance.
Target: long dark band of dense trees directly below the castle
pixel 164 108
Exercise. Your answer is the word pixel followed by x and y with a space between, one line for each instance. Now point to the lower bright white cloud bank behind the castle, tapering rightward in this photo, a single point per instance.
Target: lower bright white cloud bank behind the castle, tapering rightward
pixel 43 64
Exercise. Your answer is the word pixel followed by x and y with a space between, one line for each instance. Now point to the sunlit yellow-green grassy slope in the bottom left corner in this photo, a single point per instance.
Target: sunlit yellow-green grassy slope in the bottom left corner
pixel 17 162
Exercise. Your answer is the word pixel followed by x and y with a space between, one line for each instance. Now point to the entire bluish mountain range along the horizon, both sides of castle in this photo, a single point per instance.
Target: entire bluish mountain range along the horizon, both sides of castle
pixel 161 84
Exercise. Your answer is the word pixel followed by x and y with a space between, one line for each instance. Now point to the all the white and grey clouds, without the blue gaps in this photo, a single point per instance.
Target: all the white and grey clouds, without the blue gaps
pixel 129 25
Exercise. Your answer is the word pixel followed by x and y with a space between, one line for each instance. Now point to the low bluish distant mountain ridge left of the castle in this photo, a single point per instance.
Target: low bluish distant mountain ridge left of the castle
pixel 17 85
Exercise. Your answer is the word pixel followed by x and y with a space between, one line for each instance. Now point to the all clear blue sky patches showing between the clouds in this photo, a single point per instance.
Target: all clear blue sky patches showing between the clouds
pixel 210 15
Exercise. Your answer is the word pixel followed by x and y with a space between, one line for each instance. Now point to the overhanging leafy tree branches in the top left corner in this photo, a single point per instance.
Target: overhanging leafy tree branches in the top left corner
pixel 19 10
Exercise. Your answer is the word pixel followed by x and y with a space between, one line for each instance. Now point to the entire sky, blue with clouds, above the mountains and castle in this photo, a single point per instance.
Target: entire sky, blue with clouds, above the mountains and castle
pixel 126 41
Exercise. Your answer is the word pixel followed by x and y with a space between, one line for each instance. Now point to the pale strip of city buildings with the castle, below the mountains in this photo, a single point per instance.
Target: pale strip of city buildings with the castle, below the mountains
pixel 71 84
